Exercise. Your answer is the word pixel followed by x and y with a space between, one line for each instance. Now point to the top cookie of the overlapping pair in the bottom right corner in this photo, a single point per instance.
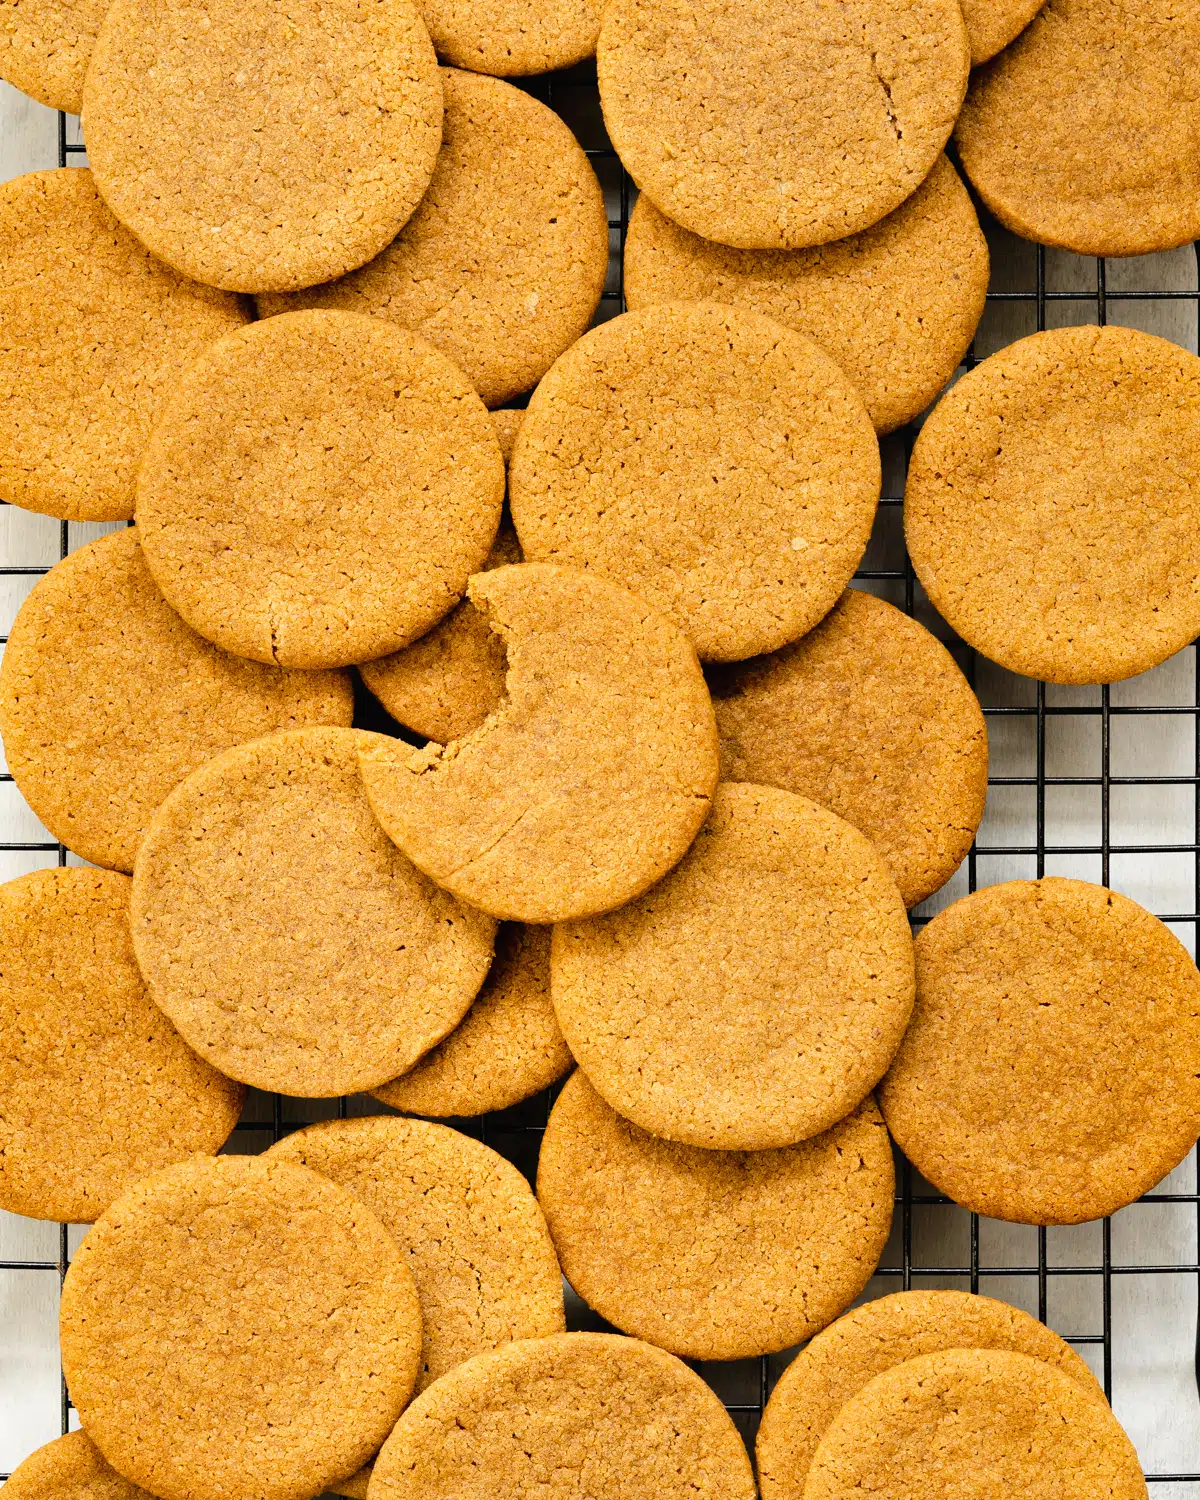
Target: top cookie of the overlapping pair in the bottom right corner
pixel 971 1424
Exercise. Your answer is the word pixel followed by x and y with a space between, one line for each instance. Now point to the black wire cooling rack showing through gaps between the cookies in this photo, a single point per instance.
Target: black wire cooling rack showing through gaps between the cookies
pixel 1100 784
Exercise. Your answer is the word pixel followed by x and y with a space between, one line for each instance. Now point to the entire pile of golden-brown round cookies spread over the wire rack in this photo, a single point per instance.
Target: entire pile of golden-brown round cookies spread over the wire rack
pixel 647 793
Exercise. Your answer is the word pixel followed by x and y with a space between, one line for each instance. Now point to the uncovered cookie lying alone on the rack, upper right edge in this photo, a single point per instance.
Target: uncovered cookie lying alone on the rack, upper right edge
pixel 1052 508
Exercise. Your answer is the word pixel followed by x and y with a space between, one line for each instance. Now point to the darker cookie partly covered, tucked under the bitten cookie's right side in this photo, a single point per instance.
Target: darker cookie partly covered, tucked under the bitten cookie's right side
pixel 871 718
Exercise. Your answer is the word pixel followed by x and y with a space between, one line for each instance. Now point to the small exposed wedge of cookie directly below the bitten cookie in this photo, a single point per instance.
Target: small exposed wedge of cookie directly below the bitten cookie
pixel 505 1051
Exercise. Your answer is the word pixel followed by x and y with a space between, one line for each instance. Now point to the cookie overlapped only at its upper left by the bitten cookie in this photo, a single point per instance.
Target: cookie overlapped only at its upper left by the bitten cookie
pixel 757 995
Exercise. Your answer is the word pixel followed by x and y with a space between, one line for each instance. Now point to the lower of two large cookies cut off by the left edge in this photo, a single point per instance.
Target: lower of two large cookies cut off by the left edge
pixel 98 1087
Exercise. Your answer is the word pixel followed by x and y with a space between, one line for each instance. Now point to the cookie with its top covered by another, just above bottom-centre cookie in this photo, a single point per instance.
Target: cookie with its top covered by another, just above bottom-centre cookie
pixel 713 1255
